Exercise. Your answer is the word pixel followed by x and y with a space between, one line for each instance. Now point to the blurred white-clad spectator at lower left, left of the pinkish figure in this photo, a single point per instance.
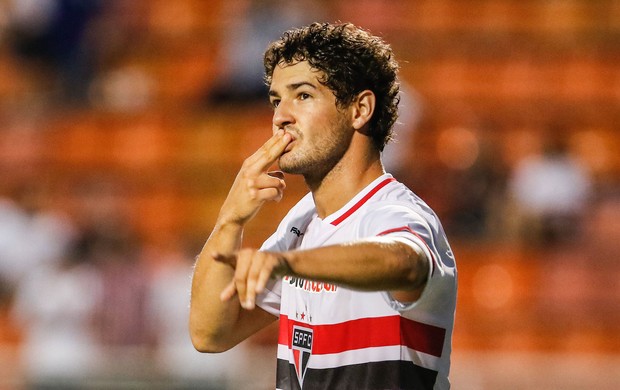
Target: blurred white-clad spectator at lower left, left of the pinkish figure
pixel 55 305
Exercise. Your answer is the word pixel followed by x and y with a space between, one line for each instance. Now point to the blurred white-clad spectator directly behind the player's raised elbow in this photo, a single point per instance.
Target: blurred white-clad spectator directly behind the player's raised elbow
pixel 175 356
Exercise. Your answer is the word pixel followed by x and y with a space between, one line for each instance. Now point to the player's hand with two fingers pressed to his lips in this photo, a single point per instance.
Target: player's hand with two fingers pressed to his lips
pixel 254 184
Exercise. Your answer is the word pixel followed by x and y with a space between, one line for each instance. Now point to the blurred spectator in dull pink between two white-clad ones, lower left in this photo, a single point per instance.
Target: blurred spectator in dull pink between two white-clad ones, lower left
pixel 114 247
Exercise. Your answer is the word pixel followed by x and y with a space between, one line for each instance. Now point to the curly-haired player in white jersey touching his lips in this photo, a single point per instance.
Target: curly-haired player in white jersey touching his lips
pixel 359 272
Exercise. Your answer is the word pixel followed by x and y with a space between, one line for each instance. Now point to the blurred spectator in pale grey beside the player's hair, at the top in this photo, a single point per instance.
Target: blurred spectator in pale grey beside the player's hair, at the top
pixel 254 24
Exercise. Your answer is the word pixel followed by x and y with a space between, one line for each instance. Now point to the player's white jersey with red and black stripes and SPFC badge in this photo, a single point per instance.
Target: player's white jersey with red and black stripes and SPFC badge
pixel 332 337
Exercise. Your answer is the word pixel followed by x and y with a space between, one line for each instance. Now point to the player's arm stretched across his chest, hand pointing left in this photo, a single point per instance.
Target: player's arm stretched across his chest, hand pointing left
pixel 376 264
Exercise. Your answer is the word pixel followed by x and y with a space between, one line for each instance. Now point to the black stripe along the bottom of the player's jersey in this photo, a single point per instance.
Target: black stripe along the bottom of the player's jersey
pixel 393 375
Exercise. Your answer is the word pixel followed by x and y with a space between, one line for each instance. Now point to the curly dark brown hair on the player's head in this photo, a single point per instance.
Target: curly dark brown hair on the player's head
pixel 352 60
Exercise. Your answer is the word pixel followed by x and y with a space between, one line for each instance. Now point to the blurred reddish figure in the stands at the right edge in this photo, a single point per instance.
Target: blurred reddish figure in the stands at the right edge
pixel 580 289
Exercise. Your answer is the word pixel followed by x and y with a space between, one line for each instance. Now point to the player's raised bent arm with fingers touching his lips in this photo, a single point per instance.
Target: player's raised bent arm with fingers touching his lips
pixel 217 325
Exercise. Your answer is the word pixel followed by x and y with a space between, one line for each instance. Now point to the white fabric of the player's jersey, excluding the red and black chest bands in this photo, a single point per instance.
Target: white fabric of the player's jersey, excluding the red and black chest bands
pixel 392 210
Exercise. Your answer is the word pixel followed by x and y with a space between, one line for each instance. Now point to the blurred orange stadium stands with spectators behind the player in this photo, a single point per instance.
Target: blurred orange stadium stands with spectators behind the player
pixel 123 124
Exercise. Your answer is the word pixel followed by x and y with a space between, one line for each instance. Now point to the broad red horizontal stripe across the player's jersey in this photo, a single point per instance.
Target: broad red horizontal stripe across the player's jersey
pixel 366 333
